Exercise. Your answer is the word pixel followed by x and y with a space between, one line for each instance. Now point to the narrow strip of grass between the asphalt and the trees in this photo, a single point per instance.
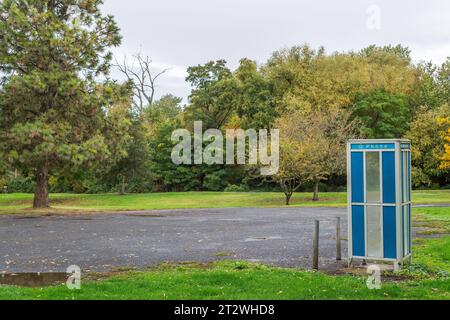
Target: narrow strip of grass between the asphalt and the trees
pixel 16 203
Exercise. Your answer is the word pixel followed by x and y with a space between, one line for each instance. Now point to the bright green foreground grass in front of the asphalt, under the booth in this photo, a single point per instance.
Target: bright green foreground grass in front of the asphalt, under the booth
pixel 427 278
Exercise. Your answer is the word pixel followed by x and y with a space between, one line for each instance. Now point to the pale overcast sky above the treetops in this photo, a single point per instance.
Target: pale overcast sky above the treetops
pixel 180 33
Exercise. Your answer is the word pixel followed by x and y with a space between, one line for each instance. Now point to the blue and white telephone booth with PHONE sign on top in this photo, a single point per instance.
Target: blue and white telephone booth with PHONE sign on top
pixel 379 200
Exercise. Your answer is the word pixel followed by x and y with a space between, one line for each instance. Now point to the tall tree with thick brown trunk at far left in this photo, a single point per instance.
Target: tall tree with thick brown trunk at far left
pixel 53 108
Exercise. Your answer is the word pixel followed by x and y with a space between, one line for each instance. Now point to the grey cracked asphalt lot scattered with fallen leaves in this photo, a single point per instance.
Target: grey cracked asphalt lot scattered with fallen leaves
pixel 276 236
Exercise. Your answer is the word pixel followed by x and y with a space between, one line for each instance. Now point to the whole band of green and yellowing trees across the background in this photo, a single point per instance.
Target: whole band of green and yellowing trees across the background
pixel 67 126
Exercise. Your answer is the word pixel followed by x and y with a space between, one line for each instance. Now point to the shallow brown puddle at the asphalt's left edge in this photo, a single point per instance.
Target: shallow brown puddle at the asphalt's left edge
pixel 33 279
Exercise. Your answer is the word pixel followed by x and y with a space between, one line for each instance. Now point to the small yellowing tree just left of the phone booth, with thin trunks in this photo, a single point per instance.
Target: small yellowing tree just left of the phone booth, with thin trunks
pixel 312 147
